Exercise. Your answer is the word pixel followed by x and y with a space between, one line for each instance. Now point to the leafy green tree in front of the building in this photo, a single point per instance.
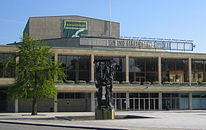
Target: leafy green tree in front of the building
pixel 36 72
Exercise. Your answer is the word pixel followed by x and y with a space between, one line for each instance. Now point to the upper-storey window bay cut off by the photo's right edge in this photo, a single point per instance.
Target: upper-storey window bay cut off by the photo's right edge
pixel 199 71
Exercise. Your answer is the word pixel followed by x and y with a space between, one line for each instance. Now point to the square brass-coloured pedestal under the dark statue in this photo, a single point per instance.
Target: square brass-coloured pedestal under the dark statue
pixel 104 114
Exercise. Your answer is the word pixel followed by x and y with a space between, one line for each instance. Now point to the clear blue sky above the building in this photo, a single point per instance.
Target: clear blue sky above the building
pixel 170 19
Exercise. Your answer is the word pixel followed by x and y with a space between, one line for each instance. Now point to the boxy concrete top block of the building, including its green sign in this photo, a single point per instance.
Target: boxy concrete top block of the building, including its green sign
pixel 70 26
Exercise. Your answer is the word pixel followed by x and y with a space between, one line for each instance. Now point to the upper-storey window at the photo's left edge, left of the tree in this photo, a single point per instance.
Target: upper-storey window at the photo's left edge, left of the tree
pixel 6 72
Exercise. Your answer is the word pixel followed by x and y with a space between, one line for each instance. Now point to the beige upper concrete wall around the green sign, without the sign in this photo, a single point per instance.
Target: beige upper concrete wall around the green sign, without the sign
pixel 52 27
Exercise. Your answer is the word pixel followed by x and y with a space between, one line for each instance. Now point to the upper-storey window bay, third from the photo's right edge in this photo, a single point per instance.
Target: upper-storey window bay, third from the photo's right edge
pixel 143 69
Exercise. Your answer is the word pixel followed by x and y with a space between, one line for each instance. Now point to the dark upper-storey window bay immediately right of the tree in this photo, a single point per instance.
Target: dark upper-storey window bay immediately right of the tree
pixel 76 67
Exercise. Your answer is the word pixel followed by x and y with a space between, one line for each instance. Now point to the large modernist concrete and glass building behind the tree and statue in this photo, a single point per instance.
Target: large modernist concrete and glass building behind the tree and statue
pixel 149 77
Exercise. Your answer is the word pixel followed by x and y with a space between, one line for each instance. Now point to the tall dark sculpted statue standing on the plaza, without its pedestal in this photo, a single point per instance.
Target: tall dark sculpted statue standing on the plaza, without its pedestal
pixel 105 70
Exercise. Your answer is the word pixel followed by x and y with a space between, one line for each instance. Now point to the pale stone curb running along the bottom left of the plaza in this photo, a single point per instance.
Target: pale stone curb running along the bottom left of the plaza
pixel 63 126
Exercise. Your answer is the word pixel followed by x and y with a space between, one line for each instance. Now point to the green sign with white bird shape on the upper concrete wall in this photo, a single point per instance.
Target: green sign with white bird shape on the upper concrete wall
pixel 73 28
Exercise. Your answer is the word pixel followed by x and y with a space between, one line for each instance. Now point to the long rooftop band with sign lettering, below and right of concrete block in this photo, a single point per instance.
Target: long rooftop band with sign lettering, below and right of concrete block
pixel 141 44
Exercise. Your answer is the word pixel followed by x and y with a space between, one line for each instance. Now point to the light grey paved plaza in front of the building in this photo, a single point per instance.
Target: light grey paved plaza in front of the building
pixel 145 120
